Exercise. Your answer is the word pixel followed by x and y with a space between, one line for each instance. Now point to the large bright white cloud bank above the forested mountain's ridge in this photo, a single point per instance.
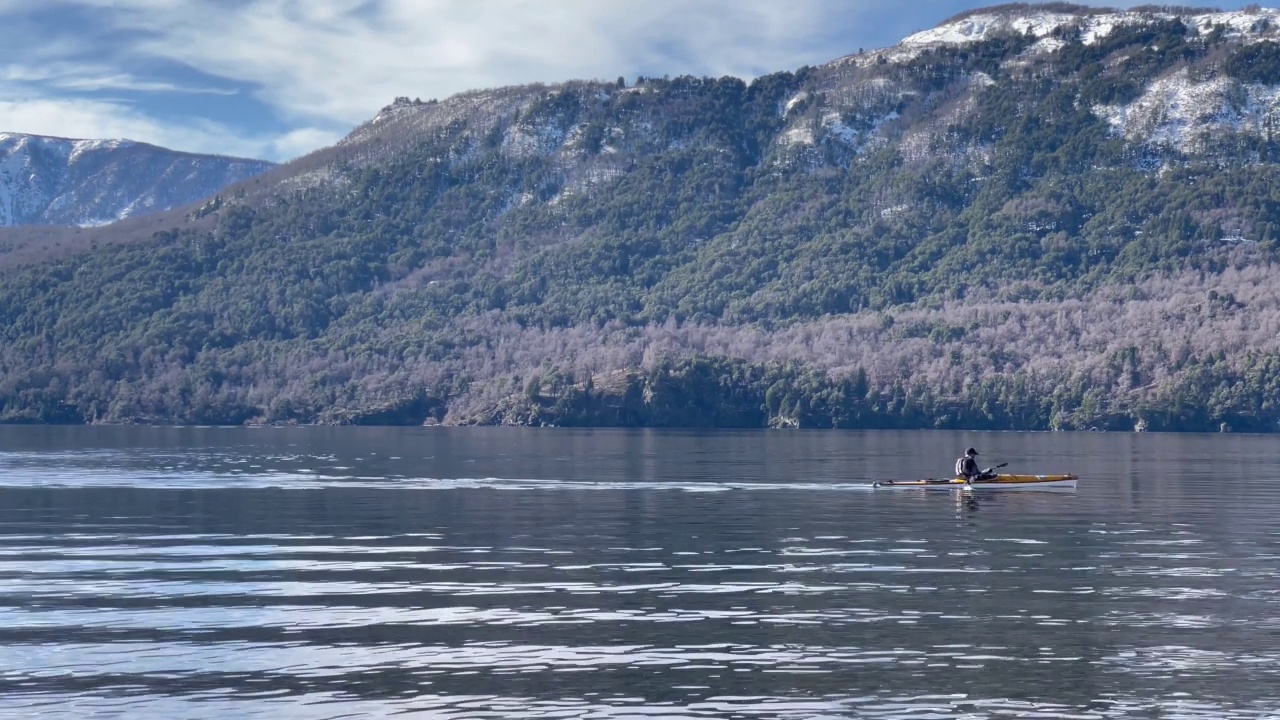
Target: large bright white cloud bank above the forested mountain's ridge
pixel 345 60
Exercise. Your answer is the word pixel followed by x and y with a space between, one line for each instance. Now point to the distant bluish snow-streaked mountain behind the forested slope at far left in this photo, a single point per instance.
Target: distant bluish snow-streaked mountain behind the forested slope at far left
pixel 92 183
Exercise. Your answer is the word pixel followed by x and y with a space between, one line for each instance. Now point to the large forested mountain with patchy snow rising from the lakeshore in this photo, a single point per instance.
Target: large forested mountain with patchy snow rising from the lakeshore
pixel 1034 217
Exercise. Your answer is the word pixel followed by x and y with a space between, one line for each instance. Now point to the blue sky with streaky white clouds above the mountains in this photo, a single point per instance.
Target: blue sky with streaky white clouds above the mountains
pixel 278 79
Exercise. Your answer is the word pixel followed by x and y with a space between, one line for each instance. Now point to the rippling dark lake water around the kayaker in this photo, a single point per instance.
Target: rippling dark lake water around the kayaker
pixel 316 573
